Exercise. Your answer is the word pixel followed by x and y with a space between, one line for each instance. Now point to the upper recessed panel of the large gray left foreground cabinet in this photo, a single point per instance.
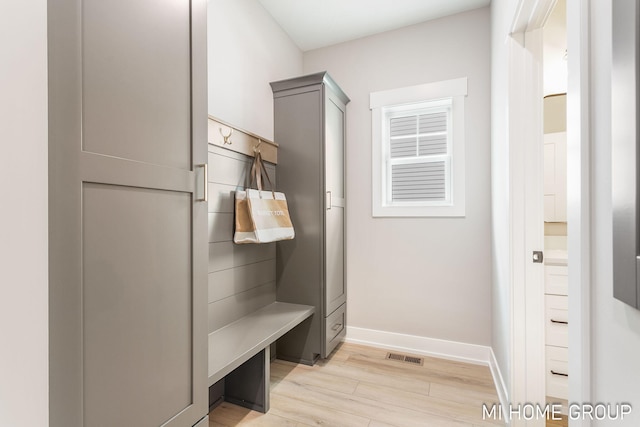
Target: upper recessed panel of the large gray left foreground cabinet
pixel 136 101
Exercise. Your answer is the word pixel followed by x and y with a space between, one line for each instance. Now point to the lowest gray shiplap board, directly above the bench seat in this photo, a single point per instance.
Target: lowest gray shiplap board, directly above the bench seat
pixel 230 309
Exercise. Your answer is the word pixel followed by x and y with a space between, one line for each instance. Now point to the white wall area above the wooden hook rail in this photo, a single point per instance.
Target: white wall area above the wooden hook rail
pixel 247 50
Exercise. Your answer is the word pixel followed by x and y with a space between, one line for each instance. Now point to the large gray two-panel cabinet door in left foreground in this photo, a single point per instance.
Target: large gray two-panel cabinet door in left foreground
pixel 128 252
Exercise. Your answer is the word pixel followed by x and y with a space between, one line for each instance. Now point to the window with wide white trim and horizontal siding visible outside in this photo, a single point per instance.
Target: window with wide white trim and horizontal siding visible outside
pixel 418 150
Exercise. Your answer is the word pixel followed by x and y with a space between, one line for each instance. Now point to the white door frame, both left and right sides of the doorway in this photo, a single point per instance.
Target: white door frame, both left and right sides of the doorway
pixel 527 381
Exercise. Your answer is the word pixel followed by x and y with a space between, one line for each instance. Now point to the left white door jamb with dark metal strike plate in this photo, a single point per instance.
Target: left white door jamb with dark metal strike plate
pixel 527 204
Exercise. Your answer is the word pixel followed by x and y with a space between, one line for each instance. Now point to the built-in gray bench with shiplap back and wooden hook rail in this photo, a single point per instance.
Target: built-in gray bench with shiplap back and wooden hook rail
pixel 244 317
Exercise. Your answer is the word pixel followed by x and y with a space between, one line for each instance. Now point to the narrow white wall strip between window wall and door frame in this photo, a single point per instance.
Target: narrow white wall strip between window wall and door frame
pixel 502 12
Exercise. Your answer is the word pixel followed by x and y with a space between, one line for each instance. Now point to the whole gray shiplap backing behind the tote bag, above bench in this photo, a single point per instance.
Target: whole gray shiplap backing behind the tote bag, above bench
pixel 241 277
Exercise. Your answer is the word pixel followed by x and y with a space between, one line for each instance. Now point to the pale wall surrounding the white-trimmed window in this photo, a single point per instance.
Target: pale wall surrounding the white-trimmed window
pixel 429 277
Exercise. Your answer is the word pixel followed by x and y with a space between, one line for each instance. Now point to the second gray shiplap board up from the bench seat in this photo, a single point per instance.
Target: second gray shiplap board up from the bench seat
pixel 224 283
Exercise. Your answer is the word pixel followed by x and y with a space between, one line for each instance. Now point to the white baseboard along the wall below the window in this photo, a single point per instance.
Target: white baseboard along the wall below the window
pixel 471 353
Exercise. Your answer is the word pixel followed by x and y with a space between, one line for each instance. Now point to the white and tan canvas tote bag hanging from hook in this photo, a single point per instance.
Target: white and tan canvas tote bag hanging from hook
pixel 261 216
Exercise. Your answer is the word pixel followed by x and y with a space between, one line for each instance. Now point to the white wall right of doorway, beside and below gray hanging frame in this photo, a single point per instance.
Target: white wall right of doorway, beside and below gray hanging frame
pixel 615 337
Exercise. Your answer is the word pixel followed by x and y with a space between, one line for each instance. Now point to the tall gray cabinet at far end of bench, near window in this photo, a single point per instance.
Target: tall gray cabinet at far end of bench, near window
pixel 310 117
